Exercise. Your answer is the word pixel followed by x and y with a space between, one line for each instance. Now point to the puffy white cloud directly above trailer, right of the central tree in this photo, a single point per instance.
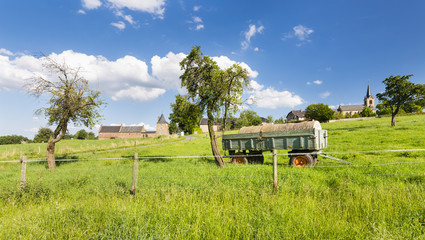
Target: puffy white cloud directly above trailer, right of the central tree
pixel 271 98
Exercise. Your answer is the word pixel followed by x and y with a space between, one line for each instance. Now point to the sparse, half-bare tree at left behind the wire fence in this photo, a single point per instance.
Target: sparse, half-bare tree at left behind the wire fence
pixel 71 100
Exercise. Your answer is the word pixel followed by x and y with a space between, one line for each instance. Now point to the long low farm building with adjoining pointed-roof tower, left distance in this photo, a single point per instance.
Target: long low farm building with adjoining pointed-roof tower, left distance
pixel 125 132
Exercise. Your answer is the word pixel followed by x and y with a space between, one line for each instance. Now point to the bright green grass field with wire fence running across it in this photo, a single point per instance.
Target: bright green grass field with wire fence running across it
pixel 380 196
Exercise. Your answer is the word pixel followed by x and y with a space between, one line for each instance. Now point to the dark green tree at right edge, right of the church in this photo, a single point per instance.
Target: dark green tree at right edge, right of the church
pixel 399 93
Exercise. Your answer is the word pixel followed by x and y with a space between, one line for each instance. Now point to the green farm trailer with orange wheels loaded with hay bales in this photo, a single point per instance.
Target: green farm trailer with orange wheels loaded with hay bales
pixel 304 139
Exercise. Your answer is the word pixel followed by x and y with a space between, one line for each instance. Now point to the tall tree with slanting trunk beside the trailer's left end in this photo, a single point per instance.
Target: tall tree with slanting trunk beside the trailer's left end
pixel 214 90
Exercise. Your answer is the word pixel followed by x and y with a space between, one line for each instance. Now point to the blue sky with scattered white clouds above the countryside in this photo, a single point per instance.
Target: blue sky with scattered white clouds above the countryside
pixel 297 53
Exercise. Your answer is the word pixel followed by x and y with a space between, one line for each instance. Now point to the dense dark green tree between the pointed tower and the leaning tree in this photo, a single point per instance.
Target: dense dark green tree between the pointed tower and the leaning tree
pixel 186 114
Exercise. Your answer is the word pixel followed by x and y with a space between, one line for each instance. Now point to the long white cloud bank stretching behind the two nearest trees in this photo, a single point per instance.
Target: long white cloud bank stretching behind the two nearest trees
pixel 123 78
